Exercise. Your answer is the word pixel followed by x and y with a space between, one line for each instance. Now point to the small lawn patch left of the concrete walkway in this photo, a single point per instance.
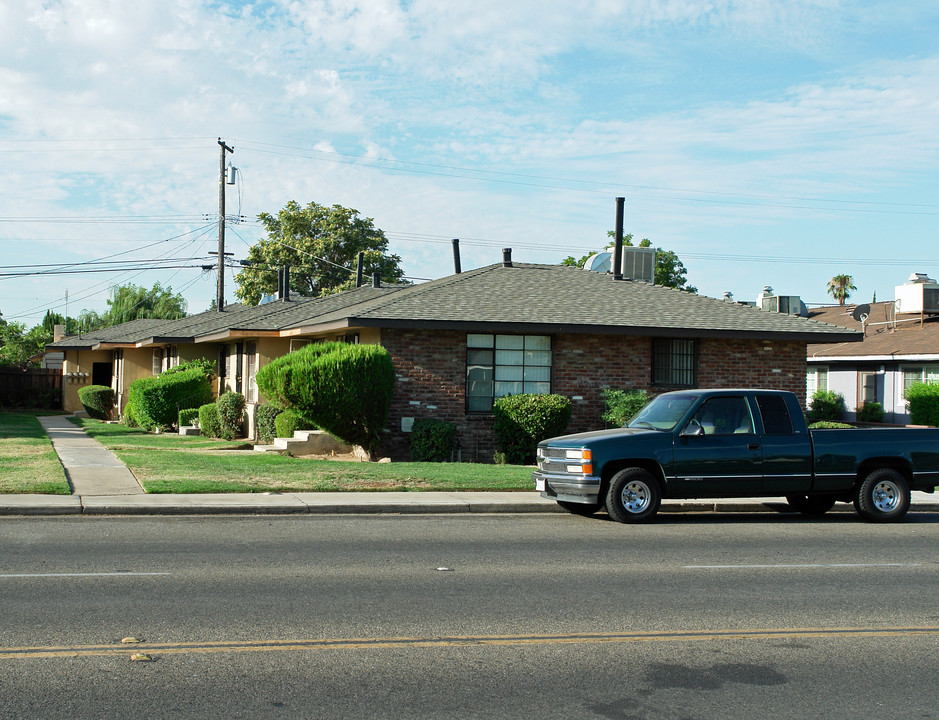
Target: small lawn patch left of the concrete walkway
pixel 28 464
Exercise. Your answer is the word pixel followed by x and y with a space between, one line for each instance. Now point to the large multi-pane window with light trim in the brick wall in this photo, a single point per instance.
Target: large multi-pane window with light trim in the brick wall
pixel 498 365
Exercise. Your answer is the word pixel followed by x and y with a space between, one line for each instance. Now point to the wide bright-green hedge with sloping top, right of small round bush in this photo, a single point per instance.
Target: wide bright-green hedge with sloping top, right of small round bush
pixel 156 400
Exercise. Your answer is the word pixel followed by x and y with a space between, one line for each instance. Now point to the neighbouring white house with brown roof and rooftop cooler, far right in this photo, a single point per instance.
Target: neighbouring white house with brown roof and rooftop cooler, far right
pixel 900 347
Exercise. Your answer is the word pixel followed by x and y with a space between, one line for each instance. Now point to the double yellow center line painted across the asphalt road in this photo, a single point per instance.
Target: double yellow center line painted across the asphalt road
pixel 20 653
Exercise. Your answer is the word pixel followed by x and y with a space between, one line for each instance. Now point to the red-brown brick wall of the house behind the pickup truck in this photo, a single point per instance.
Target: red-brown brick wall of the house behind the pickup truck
pixel 431 370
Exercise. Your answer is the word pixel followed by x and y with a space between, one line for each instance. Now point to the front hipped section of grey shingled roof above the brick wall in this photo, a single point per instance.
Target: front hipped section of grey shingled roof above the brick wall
pixel 558 298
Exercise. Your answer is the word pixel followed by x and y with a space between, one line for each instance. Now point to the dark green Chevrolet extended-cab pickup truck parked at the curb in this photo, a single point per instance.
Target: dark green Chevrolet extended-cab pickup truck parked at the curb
pixel 736 443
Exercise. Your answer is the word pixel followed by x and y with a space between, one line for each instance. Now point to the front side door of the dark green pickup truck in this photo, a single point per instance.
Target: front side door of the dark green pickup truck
pixel 718 453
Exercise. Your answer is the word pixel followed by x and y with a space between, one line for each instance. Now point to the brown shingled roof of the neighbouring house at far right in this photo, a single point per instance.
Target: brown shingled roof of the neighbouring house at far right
pixel 912 336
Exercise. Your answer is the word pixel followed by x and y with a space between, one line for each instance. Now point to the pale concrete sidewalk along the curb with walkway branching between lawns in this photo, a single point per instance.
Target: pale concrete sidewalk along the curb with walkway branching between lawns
pixel 103 485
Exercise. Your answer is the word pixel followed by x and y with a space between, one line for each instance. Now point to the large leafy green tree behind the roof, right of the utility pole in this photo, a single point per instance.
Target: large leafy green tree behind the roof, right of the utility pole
pixel 321 245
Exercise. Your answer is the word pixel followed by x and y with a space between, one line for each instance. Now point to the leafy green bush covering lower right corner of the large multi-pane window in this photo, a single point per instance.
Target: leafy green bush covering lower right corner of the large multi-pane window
pixel 522 421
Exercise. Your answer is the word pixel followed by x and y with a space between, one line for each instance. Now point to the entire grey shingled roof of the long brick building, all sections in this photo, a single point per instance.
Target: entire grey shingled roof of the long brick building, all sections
pixel 517 298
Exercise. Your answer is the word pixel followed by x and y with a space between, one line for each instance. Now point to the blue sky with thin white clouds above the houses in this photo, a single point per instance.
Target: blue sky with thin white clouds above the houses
pixel 765 142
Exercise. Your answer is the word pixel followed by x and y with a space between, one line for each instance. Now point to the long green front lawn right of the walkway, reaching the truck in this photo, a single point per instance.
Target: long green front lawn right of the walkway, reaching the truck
pixel 176 464
